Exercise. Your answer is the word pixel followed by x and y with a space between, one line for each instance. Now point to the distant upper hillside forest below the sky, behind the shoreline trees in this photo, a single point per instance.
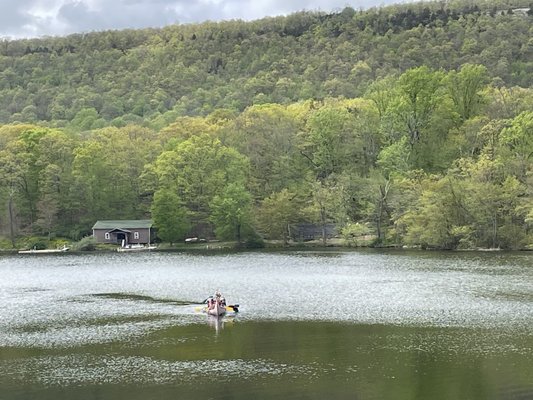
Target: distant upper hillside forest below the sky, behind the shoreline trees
pixel 152 76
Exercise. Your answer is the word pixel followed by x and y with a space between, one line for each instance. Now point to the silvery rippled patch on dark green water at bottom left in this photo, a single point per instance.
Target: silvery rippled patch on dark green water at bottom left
pixel 86 369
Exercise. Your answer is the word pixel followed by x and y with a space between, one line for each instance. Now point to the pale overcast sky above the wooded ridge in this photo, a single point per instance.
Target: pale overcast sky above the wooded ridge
pixel 34 18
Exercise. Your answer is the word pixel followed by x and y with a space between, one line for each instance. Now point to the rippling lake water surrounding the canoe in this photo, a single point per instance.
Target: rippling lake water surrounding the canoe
pixel 312 325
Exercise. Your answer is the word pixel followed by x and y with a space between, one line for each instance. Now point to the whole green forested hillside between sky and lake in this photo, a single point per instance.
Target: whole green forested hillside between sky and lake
pixel 411 124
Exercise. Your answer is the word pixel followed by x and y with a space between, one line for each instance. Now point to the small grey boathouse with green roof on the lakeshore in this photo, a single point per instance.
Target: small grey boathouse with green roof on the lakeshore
pixel 124 232
